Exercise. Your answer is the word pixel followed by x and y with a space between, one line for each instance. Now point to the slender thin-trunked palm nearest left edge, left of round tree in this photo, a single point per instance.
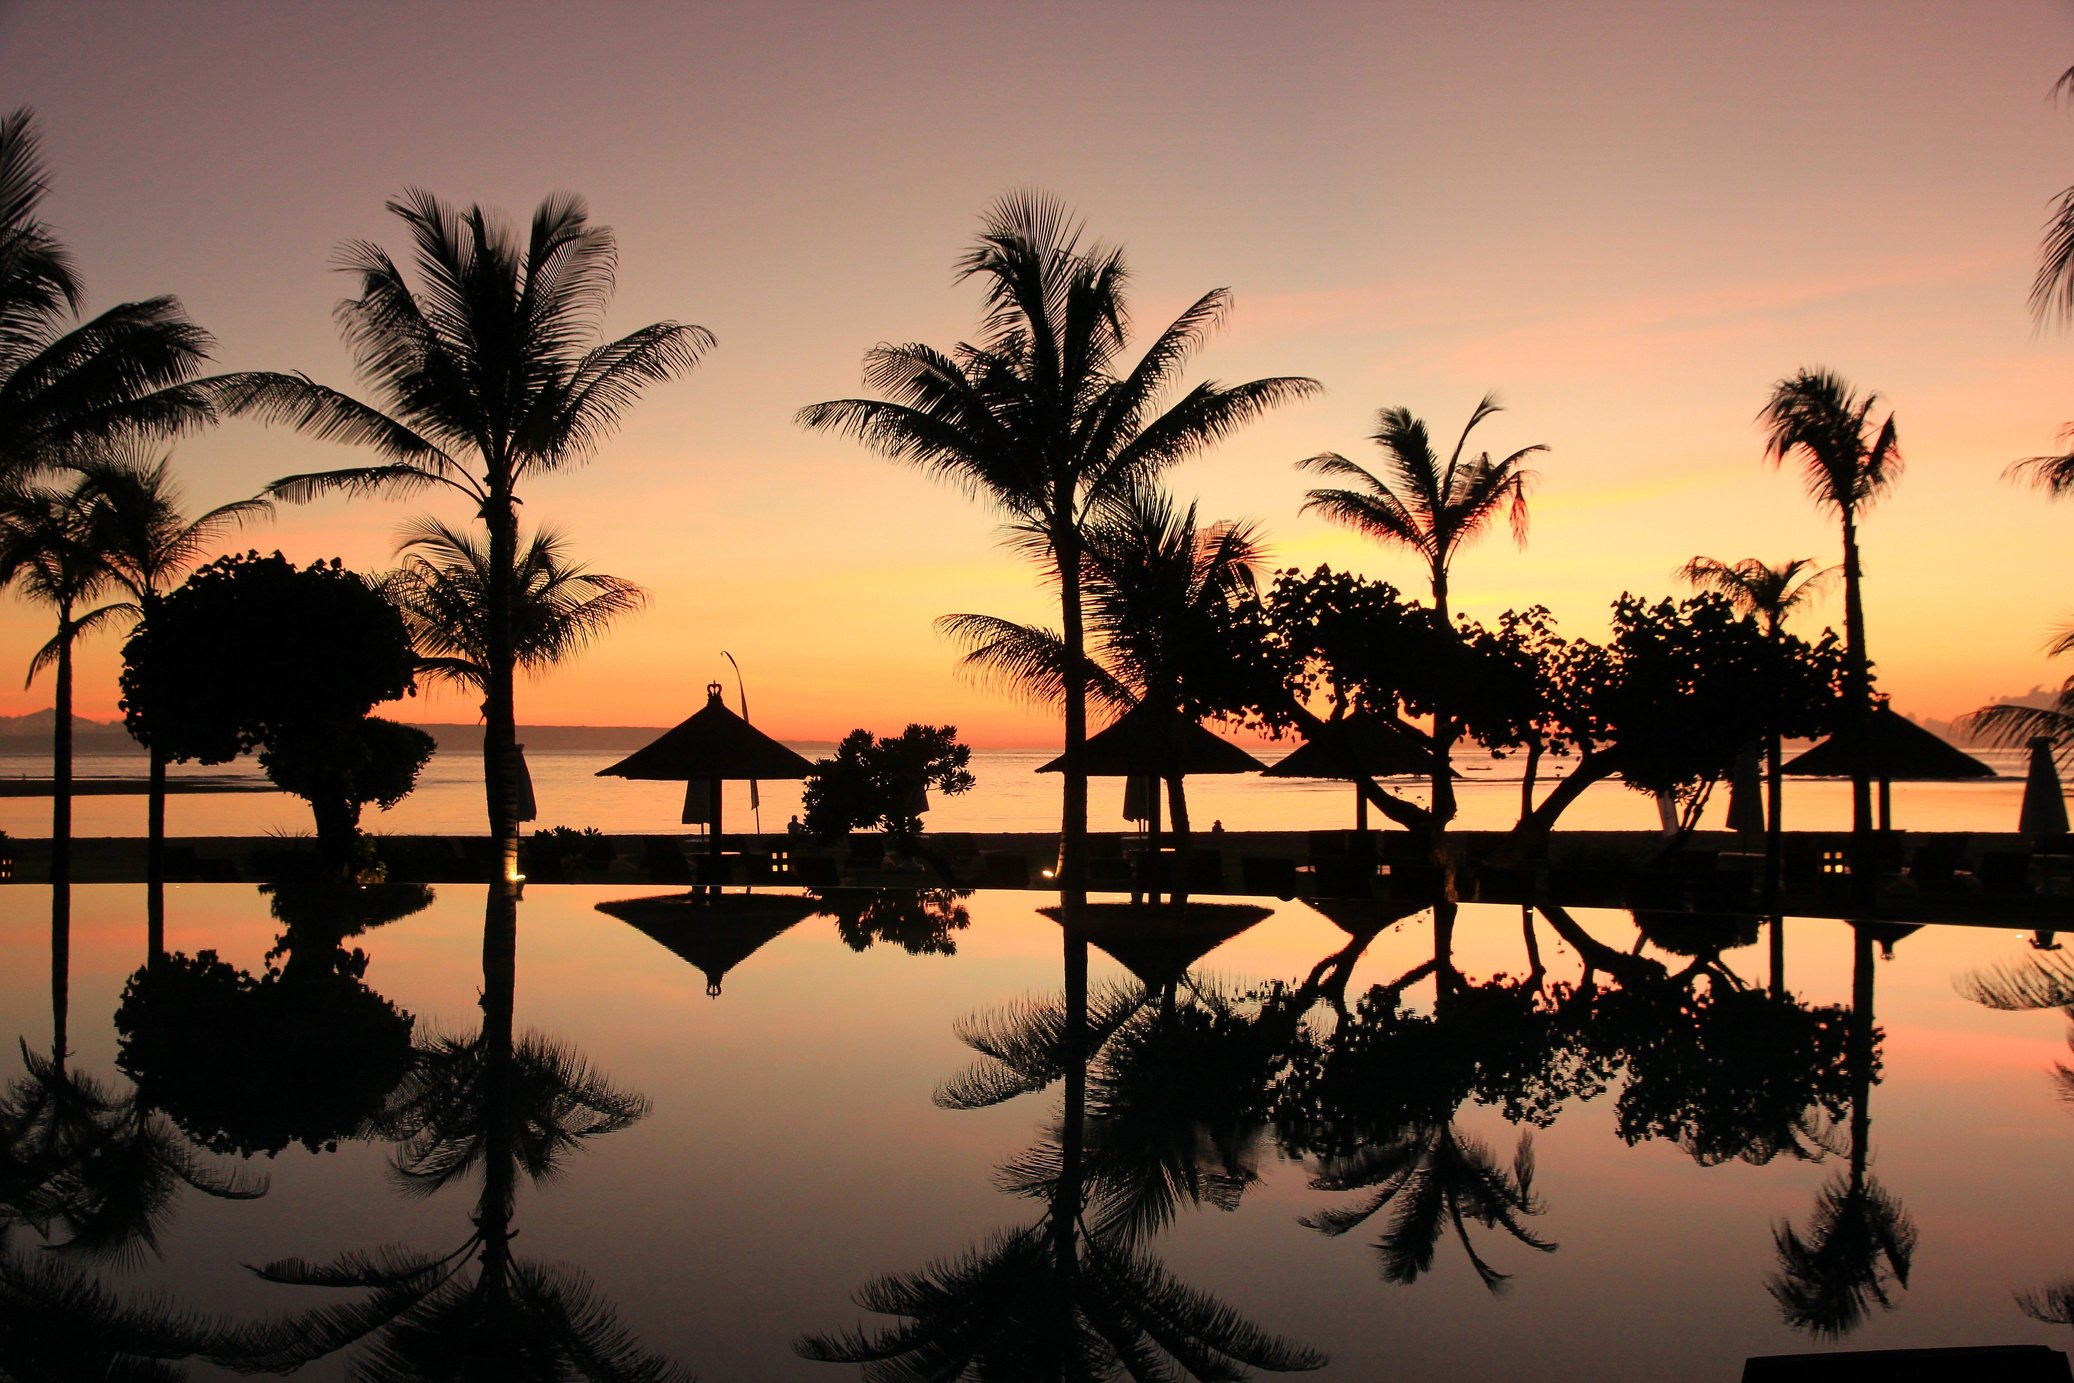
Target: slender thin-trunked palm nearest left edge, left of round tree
pixel 51 553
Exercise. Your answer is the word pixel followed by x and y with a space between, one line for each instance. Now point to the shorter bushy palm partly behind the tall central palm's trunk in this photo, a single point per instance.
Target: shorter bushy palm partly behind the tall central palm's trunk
pixel 1154 586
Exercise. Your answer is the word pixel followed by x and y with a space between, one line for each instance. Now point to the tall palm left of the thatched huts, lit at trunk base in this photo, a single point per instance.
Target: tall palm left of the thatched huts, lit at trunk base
pixel 491 380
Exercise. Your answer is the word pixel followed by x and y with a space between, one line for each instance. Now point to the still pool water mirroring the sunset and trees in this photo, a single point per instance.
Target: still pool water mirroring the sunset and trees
pixel 1463 1146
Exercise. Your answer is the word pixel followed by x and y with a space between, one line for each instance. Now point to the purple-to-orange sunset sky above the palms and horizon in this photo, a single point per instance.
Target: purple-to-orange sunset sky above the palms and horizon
pixel 1629 223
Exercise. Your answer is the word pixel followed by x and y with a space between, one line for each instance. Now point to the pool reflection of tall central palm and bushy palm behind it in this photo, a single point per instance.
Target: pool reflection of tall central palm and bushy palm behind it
pixel 1077 1295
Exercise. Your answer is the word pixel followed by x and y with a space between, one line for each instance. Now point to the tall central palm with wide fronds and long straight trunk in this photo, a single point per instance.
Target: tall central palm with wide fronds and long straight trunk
pixel 1044 418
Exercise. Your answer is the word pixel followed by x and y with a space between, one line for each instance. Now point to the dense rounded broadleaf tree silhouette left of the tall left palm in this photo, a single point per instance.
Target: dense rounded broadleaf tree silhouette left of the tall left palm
pixel 258 654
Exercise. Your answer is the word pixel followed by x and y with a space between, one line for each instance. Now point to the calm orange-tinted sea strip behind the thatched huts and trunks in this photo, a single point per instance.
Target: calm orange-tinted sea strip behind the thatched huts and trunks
pixel 1009 797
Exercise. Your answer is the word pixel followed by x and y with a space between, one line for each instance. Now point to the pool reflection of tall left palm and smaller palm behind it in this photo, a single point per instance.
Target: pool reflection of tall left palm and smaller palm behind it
pixel 495 1106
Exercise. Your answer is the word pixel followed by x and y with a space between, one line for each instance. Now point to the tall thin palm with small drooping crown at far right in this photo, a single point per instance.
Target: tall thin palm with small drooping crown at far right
pixel 1847 463
